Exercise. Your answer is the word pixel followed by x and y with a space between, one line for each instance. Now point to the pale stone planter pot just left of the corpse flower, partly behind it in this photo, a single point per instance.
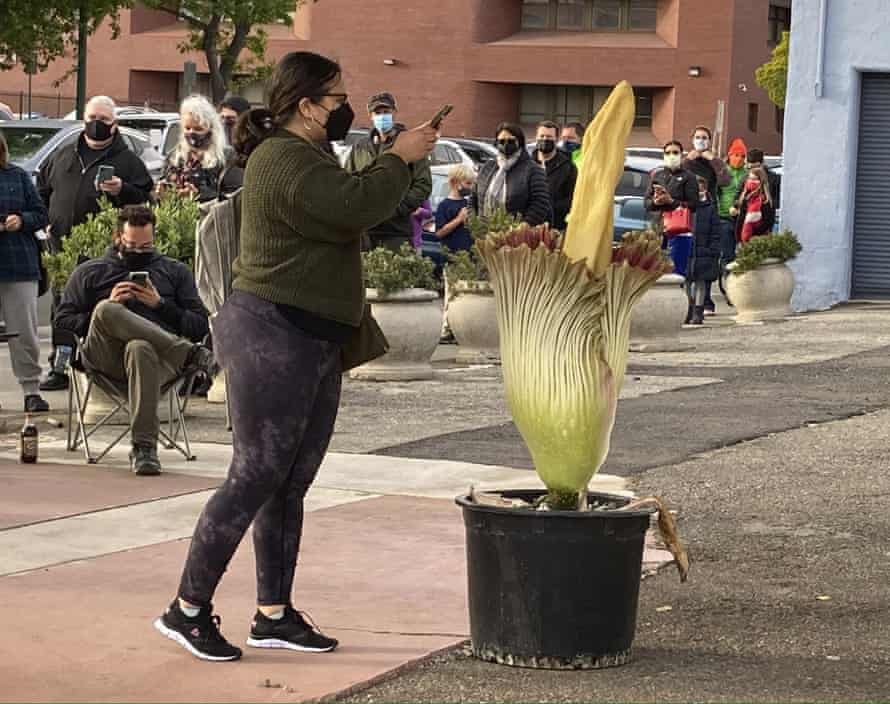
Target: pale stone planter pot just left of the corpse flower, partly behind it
pixel 472 317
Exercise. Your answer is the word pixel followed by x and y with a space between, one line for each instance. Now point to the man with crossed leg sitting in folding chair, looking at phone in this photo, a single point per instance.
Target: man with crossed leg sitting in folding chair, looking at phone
pixel 141 320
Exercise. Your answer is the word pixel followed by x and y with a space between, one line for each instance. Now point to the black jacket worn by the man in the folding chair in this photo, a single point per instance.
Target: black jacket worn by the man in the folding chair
pixel 181 311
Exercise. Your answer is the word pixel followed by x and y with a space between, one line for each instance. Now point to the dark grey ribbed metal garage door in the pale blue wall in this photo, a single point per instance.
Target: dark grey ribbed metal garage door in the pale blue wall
pixel 871 229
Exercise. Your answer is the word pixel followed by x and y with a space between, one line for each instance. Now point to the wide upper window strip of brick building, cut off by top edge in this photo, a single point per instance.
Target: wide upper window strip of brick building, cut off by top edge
pixel 590 15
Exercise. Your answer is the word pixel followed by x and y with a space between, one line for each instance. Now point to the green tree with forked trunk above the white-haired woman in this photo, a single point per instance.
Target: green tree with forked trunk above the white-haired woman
pixel 223 30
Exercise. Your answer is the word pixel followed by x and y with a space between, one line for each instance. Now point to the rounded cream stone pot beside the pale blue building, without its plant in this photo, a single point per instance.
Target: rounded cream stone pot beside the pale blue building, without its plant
pixel 761 294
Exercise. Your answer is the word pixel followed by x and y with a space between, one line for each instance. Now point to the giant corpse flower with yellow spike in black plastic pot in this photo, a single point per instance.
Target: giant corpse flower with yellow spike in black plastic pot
pixel 564 311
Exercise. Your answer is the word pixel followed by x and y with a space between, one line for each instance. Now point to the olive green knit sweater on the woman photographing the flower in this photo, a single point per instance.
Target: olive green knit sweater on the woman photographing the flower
pixel 302 219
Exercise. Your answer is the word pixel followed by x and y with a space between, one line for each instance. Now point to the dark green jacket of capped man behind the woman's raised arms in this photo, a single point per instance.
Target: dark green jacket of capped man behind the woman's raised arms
pixel 398 222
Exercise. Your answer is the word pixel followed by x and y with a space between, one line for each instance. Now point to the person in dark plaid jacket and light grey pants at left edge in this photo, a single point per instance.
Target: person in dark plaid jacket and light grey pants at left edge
pixel 22 214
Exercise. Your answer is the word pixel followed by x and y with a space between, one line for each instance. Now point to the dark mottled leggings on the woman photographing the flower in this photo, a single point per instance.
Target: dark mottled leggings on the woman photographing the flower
pixel 284 392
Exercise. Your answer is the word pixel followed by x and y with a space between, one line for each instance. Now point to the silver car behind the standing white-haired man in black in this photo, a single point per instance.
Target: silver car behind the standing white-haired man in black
pixel 31 142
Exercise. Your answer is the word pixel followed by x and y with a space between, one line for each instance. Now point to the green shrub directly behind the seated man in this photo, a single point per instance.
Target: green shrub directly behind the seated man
pixel 174 236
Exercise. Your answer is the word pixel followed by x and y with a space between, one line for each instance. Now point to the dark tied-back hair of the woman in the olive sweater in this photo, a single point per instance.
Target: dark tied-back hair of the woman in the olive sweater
pixel 299 74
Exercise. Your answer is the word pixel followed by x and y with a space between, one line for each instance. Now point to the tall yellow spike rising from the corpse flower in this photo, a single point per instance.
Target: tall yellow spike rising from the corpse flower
pixel 589 233
